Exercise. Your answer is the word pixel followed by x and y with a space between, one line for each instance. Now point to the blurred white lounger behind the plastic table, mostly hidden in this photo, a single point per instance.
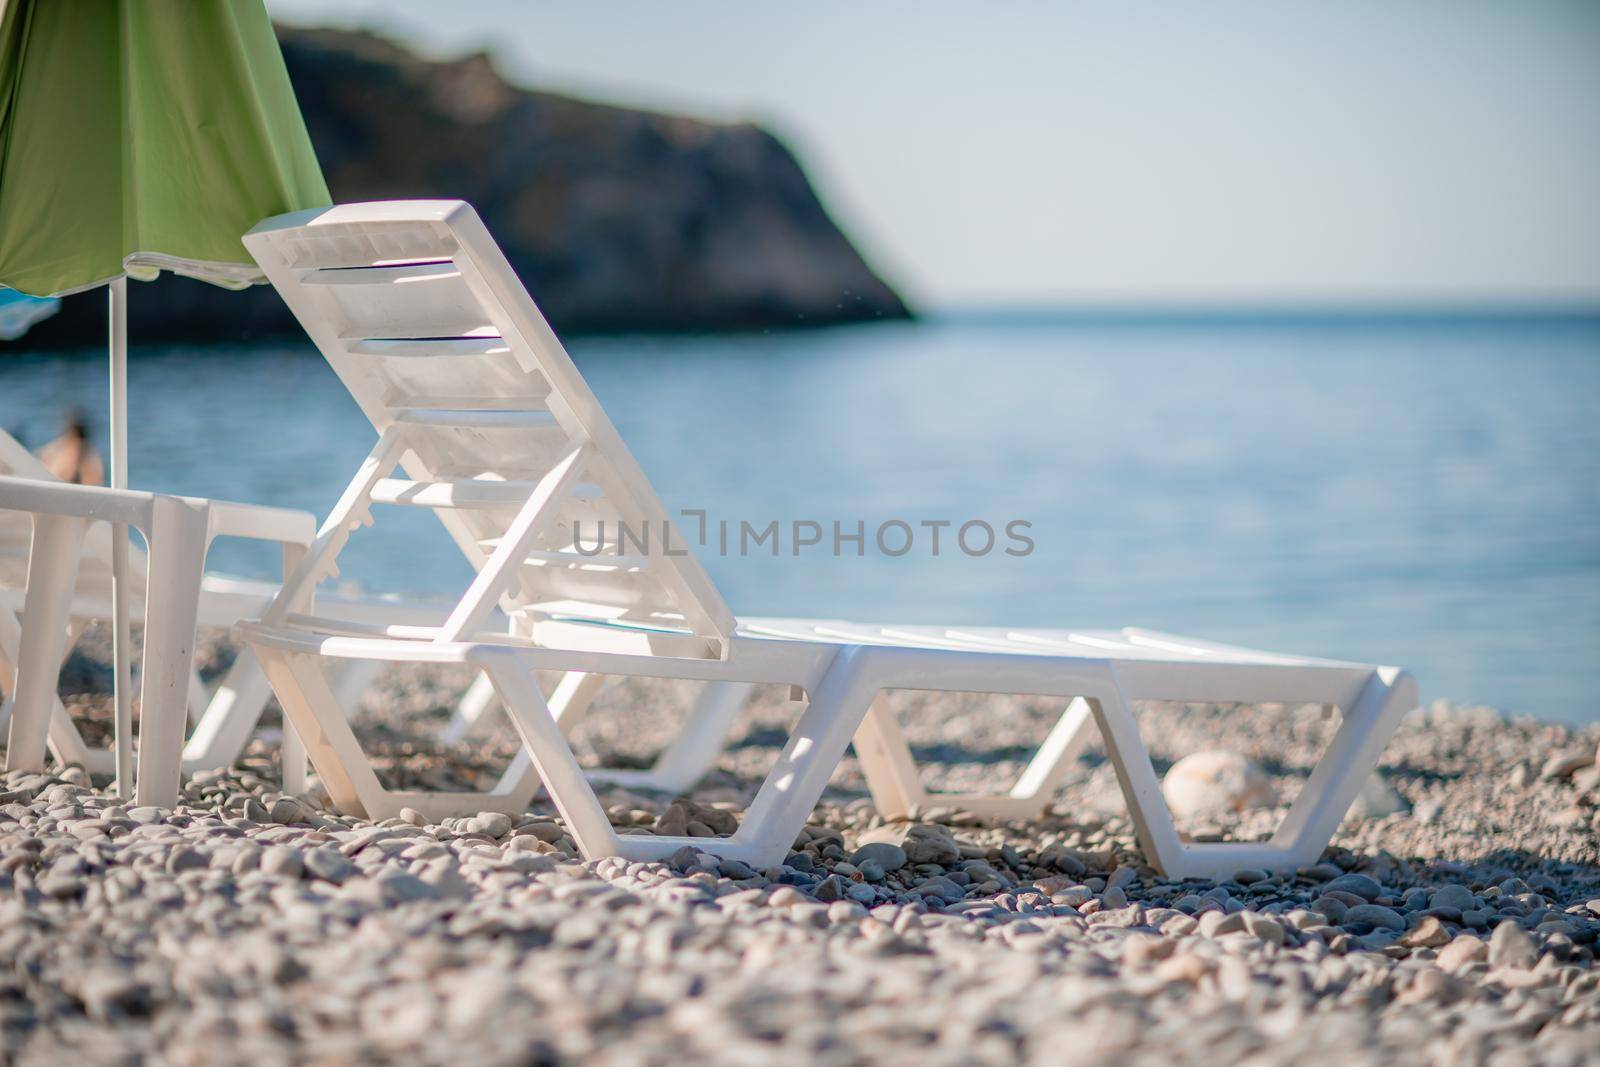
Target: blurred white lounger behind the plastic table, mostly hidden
pixel 223 722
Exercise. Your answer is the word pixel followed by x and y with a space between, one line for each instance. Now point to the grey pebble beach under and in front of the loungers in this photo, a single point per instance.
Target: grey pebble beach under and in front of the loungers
pixel 1452 922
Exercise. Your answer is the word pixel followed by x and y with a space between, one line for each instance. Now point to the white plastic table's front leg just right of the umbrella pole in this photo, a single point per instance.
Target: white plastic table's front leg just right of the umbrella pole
pixel 178 545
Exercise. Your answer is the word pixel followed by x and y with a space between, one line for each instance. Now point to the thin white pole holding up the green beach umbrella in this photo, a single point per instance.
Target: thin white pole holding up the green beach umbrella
pixel 122 687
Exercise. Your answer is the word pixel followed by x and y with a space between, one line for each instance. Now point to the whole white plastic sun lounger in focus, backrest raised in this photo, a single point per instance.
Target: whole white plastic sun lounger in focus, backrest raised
pixel 484 420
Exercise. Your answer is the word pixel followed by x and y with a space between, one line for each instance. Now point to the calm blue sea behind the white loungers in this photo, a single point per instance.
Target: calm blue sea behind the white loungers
pixel 1425 494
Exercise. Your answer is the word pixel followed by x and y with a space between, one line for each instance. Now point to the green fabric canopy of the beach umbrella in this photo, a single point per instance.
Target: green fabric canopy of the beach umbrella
pixel 142 137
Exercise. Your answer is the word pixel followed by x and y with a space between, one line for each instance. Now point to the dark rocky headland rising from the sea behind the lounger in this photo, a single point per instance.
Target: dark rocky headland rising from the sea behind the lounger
pixel 615 218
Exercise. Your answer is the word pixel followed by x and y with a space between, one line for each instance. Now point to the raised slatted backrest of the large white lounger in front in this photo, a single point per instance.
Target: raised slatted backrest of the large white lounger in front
pixel 425 322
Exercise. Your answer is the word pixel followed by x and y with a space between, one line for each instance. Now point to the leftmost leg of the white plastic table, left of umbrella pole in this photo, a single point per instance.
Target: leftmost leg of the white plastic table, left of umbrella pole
pixel 52 573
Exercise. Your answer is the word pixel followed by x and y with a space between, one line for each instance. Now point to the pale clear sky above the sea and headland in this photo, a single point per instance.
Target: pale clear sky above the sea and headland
pixel 1162 154
